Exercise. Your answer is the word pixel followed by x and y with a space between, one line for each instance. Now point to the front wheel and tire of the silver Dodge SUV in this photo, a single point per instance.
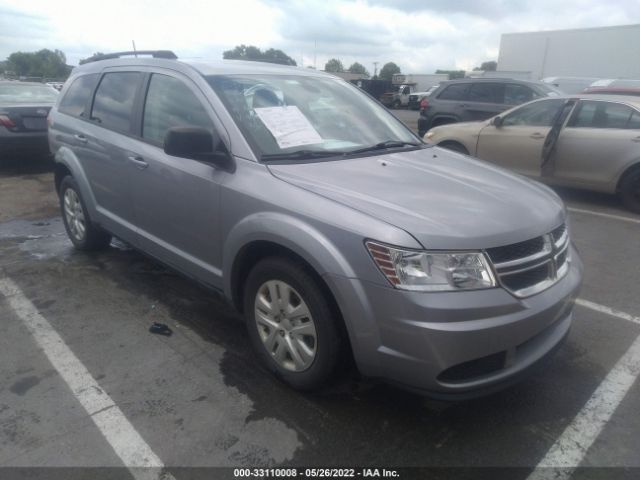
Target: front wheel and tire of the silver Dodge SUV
pixel 302 351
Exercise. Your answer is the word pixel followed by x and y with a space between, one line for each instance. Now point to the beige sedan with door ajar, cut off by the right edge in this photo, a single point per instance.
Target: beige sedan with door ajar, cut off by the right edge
pixel 586 141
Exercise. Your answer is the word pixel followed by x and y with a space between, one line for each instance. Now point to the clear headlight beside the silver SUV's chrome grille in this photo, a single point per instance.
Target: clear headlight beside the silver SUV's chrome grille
pixel 432 271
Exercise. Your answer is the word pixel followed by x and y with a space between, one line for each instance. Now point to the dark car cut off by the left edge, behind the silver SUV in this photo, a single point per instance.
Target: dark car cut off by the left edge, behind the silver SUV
pixel 24 108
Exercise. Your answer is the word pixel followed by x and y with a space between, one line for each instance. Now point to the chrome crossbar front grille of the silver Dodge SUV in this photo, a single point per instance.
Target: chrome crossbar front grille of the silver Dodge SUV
pixel 526 268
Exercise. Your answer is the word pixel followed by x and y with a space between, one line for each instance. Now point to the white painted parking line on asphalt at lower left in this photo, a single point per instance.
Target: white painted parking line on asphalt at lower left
pixel 117 430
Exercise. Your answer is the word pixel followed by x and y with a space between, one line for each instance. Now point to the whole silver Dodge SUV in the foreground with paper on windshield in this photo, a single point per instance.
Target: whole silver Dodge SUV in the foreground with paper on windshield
pixel 321 217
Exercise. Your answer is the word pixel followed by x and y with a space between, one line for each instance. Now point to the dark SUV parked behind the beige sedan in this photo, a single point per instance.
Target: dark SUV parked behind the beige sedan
pixel 476 99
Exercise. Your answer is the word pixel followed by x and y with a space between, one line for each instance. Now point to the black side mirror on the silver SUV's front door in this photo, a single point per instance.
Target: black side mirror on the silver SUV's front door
pixel 196 143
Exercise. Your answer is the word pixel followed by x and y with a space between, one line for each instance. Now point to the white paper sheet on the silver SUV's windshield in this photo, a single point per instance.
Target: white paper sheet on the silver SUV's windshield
pixel 289 126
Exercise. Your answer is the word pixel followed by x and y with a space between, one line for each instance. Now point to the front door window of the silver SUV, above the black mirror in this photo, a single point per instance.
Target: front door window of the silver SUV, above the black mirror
pixel 170 103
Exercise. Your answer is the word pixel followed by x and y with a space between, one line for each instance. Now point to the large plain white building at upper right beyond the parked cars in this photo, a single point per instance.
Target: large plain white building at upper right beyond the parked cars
pixel 603 52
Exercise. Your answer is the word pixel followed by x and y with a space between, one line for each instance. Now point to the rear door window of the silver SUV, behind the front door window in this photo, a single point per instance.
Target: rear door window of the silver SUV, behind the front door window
pixel 114 100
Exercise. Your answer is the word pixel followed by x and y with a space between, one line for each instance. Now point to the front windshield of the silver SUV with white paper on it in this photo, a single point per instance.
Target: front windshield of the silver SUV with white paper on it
pixel 287 116
